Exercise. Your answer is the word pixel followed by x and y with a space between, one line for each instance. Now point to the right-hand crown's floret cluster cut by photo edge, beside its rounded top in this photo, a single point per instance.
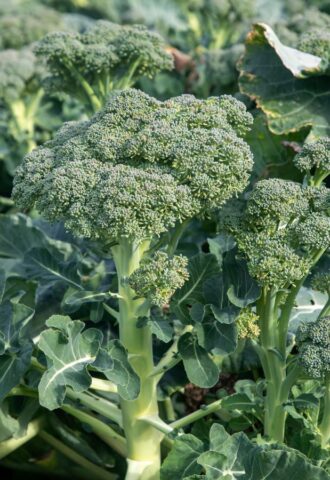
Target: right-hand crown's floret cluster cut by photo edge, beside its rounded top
pixel 313 233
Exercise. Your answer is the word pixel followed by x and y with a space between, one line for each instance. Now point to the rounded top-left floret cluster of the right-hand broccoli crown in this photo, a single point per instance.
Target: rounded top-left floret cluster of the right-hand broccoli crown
pixel 275 201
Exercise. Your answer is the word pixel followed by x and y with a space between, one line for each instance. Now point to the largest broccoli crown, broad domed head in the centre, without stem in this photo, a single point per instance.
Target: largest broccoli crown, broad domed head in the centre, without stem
pixel 139 165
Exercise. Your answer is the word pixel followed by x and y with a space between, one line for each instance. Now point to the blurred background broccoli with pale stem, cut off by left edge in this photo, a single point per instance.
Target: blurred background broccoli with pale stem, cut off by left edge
pixel 20 97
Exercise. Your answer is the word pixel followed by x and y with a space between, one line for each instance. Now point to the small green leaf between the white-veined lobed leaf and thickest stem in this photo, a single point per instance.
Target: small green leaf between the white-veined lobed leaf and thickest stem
pixel 113 362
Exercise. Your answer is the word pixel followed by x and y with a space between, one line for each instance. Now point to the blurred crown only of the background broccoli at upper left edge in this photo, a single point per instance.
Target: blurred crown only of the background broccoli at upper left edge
pixel 18 70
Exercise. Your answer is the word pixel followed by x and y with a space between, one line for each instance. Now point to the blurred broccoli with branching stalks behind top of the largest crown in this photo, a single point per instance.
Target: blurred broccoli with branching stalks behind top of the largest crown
pixel 105 57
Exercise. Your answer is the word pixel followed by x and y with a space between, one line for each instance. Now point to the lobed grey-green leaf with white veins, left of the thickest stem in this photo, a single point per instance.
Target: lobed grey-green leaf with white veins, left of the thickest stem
pixel 69 351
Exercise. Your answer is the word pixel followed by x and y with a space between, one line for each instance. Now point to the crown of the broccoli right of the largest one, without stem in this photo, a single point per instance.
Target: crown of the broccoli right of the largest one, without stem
pixel 280 229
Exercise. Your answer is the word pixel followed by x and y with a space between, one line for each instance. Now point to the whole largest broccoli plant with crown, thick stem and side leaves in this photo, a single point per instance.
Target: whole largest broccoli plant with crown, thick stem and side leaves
pixel 131 178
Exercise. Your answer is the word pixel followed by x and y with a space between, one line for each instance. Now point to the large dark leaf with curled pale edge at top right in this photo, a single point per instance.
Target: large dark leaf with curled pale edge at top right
pixel 284 84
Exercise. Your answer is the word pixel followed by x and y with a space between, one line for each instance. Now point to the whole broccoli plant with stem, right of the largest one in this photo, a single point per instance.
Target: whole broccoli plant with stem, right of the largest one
pixel 283 232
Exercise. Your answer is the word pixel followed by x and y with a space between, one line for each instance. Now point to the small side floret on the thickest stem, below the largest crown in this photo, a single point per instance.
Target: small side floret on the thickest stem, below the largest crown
pixel 159 277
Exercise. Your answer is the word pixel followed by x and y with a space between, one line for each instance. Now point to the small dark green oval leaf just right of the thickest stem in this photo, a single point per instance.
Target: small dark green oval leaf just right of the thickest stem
pixel 200 368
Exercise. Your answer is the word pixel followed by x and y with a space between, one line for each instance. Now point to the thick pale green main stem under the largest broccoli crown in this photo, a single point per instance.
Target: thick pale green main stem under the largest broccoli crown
pixel 143 440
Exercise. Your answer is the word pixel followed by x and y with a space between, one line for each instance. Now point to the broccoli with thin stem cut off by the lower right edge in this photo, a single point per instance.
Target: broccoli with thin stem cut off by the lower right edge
pixel 313 340
